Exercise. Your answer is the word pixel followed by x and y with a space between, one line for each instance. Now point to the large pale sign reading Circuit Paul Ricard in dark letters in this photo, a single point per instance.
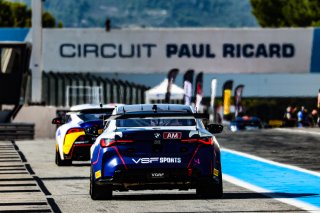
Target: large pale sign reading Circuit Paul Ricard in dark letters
pixel 159 50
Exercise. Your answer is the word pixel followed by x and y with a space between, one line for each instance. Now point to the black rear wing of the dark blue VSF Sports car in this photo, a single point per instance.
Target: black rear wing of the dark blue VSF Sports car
pixel 156 114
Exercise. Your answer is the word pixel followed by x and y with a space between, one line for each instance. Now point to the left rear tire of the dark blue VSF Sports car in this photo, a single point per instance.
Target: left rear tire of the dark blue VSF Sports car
pixel 99 192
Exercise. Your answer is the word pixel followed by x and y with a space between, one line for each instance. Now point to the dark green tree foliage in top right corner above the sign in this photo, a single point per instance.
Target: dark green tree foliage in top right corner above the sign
pixel 287 13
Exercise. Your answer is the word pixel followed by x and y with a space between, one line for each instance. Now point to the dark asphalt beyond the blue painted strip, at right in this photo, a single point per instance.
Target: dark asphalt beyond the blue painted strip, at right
pixel 297 147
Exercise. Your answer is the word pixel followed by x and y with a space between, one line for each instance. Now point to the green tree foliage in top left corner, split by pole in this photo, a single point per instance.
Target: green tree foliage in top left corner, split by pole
pixel 15 14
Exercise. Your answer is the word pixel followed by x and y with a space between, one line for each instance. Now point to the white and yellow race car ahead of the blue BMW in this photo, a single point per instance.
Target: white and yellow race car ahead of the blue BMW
pixel 78 130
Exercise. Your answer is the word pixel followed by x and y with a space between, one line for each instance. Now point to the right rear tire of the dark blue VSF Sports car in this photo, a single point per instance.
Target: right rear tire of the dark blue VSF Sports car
pixel 210 189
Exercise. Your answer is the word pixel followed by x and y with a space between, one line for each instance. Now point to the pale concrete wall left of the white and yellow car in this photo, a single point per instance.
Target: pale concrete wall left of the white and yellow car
pixel 41 116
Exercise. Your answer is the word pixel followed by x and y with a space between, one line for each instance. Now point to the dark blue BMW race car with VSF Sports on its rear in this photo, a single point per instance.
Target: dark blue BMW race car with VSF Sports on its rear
pixel 161 146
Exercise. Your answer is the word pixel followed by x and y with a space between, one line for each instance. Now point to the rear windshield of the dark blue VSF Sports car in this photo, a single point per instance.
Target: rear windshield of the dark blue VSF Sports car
pixel 155 122
